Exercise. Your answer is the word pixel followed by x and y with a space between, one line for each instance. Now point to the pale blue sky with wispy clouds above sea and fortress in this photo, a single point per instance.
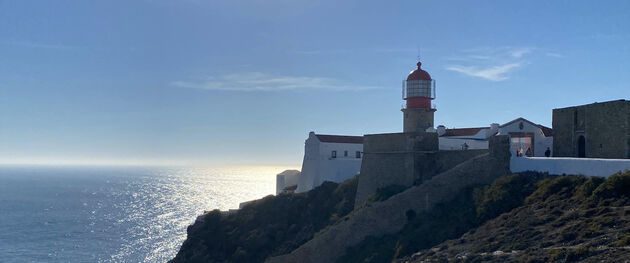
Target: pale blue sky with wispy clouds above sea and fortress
pixel 233 82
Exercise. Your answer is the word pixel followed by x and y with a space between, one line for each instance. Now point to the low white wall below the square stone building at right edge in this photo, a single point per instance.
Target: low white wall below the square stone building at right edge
pixel 583 166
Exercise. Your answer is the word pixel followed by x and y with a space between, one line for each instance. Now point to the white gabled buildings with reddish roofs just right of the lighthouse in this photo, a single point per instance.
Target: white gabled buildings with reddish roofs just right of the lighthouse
pixel 524 135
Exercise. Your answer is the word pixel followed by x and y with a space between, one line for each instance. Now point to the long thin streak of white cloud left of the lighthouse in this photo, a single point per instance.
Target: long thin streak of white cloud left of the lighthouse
pixel 256 81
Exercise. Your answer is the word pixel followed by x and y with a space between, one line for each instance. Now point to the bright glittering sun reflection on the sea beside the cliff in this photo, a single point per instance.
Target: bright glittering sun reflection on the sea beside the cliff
pixel 165 203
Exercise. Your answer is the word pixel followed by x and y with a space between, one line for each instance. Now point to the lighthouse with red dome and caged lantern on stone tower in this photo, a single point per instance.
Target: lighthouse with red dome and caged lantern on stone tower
pixel 418 90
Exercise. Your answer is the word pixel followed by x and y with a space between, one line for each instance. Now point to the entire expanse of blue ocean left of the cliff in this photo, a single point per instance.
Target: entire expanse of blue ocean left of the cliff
pixel 114 214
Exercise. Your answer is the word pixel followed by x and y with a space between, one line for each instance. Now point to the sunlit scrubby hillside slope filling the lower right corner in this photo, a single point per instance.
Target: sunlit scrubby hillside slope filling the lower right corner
pixel 566 219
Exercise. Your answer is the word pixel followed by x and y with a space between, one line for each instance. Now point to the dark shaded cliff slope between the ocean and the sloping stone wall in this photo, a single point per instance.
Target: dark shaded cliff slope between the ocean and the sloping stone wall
pixel 270 226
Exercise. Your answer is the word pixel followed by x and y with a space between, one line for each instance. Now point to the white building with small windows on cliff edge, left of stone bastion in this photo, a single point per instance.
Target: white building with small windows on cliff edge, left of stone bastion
pixel 334 158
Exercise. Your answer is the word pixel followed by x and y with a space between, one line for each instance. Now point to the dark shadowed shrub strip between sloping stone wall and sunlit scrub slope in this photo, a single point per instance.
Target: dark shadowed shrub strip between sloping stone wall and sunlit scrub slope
pixel 468 209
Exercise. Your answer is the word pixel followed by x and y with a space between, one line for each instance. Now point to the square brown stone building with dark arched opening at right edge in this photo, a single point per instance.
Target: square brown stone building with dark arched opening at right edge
pixel 598 130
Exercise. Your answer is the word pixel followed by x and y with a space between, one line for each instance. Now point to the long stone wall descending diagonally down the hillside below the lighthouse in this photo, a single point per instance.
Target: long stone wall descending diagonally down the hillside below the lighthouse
pixel 389 216
